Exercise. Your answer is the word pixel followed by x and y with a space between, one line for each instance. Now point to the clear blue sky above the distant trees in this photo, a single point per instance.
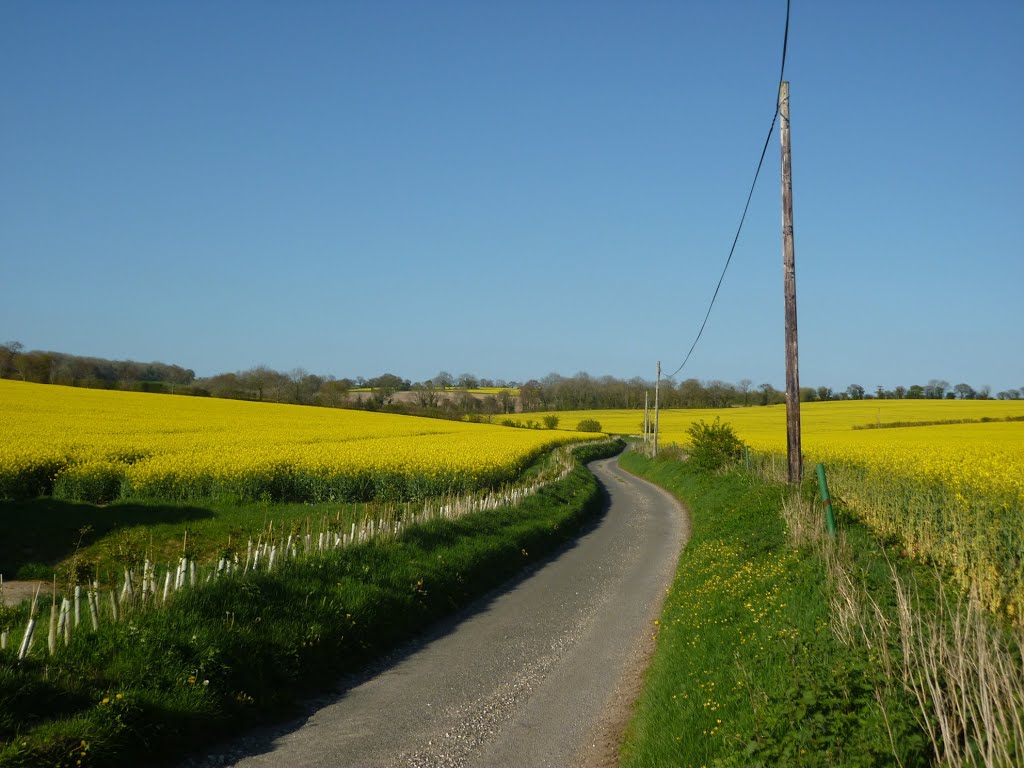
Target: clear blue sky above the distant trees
pixel 515 189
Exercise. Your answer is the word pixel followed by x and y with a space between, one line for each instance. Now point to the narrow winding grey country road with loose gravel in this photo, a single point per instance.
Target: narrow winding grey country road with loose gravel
pixel 542 673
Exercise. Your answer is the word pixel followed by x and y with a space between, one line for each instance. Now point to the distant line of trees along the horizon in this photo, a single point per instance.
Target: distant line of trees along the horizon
pixel 444 396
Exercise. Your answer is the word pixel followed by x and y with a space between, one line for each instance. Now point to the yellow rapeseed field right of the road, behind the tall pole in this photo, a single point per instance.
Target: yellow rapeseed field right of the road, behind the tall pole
pixel 952 494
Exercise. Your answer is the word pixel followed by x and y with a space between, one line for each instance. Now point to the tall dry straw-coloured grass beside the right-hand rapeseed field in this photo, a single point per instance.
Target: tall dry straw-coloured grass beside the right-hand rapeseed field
pixel 962 666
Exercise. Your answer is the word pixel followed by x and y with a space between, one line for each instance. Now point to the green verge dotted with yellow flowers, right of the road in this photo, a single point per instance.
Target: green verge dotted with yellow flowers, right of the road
pixel 748 671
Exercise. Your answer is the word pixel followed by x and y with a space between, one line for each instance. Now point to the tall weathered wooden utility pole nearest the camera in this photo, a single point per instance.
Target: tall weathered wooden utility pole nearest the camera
pixel 790 280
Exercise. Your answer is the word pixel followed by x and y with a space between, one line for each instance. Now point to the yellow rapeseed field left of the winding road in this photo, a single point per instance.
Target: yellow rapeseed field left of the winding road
pixel 102 445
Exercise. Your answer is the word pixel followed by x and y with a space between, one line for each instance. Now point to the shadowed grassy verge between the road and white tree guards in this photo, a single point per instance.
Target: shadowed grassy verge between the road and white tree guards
pixel 240 651
